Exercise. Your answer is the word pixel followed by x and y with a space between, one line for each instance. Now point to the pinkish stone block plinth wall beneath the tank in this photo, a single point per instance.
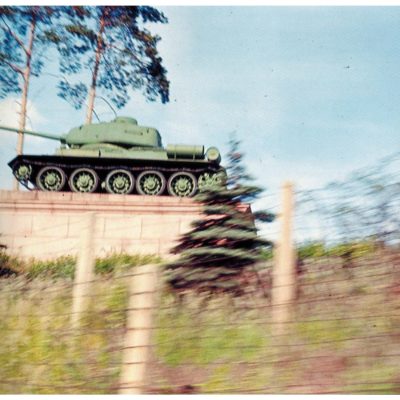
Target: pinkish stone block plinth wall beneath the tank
pixel 46 225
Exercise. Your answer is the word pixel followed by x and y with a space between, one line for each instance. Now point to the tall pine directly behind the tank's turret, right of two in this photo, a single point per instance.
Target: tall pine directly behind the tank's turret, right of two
pixel 120 53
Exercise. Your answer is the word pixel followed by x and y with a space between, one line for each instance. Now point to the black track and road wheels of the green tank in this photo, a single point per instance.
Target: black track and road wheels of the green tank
pixel 181 178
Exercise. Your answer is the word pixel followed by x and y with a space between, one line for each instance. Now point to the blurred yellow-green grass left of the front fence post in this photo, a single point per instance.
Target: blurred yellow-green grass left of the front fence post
pixel 40 353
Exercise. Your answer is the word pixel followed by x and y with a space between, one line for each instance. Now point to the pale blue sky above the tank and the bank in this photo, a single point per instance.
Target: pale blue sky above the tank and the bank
pixel 313 92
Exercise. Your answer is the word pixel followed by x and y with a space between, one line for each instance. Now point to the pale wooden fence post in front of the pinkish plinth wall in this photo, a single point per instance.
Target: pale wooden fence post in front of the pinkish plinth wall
pixel 84 272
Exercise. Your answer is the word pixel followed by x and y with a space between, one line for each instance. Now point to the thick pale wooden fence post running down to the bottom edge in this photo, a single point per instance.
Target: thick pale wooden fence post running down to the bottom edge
pixel 143 292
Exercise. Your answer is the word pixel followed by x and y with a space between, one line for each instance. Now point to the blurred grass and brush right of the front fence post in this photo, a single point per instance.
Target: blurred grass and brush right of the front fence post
pixel 223 347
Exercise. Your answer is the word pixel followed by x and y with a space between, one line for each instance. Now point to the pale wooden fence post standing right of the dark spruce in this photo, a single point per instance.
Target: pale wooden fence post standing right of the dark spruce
pixel 284 270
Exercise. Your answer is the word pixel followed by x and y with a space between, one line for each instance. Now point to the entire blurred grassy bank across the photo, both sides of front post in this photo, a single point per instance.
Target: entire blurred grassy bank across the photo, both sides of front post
pixel 340 343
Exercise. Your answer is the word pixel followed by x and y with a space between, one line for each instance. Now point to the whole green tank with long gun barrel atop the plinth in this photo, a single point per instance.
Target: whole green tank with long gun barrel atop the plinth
pixel 119 157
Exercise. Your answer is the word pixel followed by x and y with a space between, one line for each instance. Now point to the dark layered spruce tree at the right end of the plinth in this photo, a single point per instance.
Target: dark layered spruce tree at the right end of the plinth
pixel 219 252
